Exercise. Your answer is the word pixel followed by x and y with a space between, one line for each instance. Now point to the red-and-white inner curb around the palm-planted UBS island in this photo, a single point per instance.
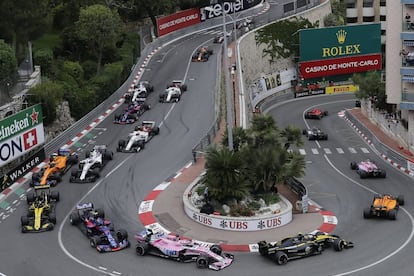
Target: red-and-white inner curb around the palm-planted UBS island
pixel 149 221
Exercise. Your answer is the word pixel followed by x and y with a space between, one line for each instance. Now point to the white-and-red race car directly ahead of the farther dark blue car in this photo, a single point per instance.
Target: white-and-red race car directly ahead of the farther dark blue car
pixel 139 137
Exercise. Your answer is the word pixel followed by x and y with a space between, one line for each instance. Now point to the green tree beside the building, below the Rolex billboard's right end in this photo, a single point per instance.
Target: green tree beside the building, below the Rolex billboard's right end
pixel 371 87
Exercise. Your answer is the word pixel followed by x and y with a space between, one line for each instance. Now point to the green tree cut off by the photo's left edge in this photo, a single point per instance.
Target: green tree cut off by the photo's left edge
pixel 8 70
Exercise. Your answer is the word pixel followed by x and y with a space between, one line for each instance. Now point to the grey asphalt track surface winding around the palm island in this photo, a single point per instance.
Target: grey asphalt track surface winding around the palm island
pixel 127 179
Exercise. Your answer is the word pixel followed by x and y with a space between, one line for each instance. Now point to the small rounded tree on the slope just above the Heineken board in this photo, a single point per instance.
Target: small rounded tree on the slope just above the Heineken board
pixel 49 94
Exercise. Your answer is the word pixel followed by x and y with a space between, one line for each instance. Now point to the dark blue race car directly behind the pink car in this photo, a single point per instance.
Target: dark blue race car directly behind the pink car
pixel 98 229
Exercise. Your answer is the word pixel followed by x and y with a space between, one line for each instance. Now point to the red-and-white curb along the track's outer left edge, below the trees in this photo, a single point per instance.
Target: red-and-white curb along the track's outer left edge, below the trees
pixel 27 177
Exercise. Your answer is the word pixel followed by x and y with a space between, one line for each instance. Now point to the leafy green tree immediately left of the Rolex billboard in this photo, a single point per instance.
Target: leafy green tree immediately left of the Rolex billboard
pixel 281 38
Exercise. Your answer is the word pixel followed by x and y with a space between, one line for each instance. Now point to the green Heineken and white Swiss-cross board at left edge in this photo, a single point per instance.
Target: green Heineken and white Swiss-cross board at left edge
pixel 21 133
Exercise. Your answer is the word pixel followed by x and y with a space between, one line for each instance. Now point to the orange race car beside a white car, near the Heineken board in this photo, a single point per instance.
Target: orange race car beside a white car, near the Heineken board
pixel 59 163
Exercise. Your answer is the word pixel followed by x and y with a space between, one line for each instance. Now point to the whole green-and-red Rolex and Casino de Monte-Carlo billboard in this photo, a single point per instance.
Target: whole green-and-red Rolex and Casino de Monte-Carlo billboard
pixel 340 50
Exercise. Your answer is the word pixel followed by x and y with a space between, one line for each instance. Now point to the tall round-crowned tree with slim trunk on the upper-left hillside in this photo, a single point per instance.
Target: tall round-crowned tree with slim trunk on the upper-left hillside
pixel 101 27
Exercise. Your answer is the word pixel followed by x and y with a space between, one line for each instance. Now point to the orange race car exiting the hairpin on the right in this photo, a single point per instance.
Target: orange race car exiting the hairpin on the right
pixel 384 206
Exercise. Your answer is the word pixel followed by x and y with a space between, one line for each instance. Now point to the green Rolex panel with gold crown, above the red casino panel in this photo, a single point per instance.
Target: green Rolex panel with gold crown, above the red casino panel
pixel 338 42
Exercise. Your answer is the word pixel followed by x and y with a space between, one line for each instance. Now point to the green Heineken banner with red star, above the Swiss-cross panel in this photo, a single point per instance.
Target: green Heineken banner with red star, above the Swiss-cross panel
pixel 20 122
